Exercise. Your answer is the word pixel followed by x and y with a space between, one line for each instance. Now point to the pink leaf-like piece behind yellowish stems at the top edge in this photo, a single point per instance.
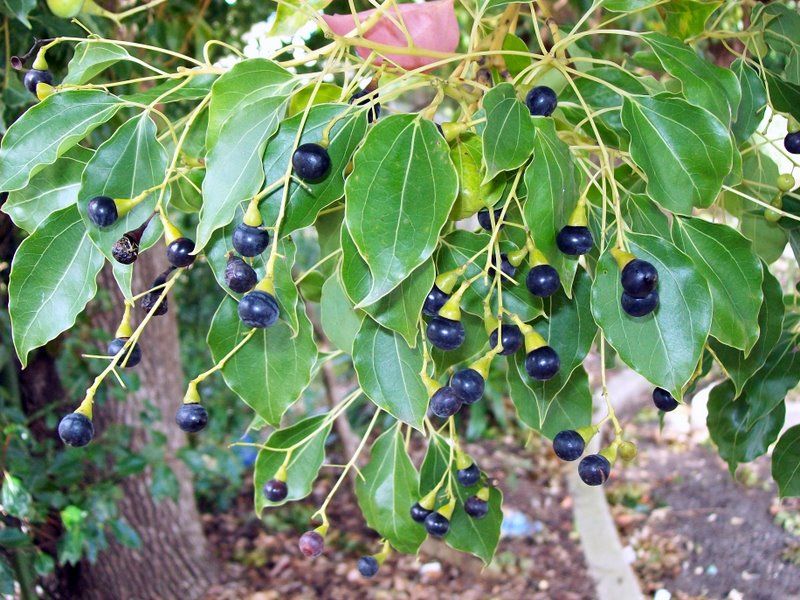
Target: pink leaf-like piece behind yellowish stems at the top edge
pixel 432 26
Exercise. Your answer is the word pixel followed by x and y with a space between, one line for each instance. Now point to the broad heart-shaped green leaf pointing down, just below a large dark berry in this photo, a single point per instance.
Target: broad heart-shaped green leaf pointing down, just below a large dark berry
pixel 270 372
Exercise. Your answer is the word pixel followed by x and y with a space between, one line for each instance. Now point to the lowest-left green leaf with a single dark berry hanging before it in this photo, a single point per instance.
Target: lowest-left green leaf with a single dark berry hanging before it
pixel 307 457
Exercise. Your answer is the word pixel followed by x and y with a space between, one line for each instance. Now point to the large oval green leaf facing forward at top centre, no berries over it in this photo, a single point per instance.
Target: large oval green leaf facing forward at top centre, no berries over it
pixel 406 161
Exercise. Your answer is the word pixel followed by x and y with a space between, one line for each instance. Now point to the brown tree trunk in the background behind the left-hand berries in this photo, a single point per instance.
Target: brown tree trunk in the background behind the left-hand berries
pixel 174 560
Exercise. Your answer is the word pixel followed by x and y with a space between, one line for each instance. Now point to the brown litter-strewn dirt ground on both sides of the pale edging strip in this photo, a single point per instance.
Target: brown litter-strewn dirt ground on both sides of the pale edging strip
pixel 688 528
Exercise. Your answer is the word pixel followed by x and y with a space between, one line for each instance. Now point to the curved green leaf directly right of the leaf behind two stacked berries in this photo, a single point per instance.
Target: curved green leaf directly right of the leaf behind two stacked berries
pixel 724 257
